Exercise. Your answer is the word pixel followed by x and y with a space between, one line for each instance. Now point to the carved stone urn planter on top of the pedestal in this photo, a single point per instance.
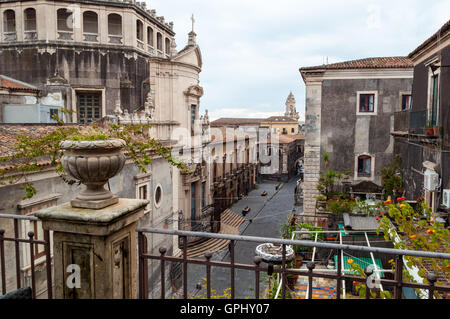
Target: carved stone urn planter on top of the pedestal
pixel 93 163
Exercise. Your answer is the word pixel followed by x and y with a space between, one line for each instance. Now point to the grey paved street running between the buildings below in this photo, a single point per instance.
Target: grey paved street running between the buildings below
pixel 267 215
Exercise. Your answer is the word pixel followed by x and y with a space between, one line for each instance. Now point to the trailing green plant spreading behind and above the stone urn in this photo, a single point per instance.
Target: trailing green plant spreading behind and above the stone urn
pixel 30 150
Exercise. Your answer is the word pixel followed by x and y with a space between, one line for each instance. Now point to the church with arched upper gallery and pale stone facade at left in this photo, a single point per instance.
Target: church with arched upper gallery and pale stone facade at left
pixel 110 61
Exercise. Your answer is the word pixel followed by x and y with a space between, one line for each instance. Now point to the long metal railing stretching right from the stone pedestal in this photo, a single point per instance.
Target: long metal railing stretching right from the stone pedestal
pixel 341 275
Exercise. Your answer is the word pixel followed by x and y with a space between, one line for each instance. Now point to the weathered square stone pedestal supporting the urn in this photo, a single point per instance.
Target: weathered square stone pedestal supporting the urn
pixel 100 243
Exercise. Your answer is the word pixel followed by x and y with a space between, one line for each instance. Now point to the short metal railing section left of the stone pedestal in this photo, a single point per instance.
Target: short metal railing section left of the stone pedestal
pixel 32 244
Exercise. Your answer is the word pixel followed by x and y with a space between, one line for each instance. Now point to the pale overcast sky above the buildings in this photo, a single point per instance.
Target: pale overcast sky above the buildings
pixel 252 49
